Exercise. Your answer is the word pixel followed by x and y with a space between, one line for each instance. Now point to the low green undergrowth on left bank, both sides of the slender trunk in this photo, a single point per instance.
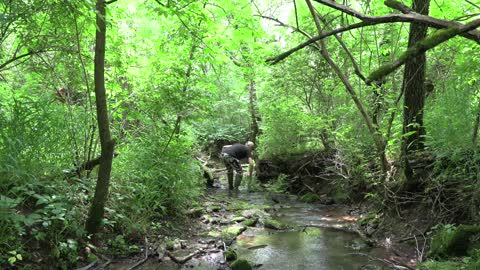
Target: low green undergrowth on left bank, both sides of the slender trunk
pixel 44 203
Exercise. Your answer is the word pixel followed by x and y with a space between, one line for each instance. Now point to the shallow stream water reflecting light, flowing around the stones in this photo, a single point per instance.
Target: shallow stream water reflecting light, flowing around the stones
pixel 321 242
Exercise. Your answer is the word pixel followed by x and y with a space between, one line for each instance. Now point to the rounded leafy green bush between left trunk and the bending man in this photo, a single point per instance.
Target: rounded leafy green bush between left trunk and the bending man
pixel 154 179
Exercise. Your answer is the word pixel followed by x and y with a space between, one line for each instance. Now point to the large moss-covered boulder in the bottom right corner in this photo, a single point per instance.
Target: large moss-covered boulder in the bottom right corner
pixel 451 240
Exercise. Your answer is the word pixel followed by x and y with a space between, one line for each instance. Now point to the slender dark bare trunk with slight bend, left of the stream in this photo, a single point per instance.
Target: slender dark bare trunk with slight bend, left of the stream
pixel 107 144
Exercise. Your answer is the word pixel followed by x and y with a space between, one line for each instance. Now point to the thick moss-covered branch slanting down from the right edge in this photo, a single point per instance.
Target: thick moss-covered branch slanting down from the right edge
pixel 421 47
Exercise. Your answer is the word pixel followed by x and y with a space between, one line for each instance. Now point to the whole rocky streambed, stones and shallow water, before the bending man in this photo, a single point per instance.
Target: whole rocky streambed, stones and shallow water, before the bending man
pixel 264 230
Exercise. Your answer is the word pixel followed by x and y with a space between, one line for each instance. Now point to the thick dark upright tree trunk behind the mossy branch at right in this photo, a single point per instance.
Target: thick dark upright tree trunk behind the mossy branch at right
pixel 414 94
